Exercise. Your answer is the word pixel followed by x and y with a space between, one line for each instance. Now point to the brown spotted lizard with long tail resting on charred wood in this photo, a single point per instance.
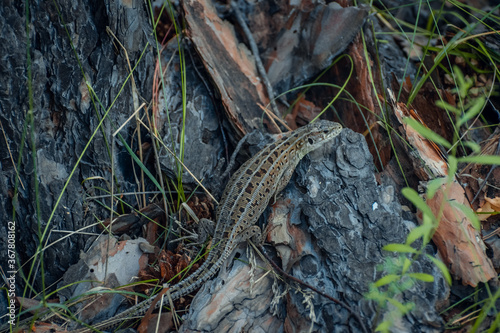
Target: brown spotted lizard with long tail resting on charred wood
pixel 245 198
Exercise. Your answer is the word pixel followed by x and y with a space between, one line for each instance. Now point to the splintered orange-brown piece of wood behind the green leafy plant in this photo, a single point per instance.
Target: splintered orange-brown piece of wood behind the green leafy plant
pixel 459 244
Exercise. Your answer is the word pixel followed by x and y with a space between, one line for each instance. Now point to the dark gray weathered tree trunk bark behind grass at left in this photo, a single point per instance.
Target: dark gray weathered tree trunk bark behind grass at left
pixel 66 42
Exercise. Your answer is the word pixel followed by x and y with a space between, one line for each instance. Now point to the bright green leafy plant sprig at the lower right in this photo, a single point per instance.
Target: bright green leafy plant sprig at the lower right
pixel 398 275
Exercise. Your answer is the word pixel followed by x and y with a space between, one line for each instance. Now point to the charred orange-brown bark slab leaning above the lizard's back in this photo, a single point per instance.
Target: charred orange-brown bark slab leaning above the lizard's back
pixel 229 64
